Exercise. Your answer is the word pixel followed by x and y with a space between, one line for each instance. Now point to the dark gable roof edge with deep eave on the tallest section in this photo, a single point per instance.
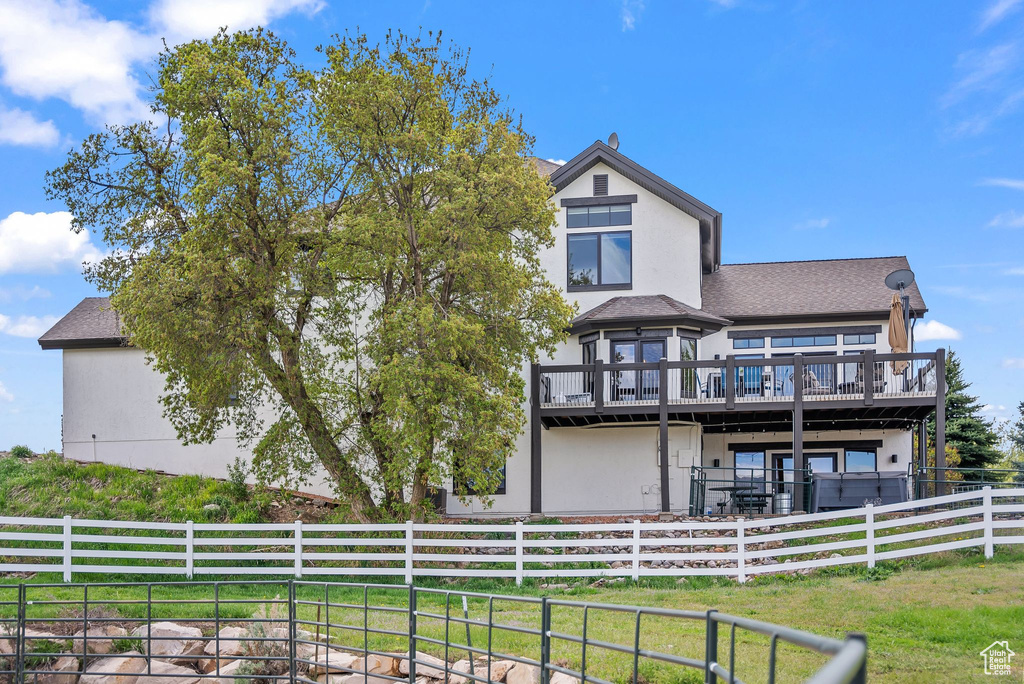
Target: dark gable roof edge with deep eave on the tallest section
pixel 710 220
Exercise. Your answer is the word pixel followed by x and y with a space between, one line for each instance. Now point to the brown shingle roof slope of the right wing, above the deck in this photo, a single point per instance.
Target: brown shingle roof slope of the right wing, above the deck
pixel 795 289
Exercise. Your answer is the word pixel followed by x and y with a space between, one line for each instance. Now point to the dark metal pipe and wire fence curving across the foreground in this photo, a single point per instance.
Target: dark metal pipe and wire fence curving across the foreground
pixel 315 632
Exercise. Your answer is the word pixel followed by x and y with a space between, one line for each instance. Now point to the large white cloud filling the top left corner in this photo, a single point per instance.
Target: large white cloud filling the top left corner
pixel 66 50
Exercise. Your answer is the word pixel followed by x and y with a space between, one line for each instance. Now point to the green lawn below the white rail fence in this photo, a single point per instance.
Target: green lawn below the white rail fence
pixel 925 621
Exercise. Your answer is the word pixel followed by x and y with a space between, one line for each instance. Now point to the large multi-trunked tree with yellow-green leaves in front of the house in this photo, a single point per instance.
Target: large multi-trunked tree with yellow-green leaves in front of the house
pixel 342 265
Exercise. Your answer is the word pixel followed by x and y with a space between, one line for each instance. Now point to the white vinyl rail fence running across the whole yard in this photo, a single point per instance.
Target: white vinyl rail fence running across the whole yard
pixel 731 548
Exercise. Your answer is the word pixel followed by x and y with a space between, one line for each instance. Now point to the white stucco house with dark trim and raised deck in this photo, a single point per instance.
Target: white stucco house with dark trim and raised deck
pixel 687 386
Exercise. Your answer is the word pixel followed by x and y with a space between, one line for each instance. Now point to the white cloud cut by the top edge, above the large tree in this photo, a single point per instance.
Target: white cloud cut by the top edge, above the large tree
pixel 185 20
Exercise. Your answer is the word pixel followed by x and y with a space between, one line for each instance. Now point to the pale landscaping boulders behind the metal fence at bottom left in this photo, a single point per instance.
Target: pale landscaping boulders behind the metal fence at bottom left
pixel 187 655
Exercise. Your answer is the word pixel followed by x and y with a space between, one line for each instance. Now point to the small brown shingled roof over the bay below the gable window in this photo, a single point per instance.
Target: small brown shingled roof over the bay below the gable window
pixel 646 311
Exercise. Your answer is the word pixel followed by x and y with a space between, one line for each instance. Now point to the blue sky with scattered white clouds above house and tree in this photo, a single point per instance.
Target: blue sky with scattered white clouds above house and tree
pixel 820 131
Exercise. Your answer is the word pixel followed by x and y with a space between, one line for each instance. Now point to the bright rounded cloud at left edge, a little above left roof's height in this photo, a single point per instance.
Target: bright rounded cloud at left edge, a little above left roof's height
pixel 44 244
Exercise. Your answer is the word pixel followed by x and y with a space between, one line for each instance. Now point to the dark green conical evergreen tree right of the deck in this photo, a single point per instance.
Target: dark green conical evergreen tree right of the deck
pixel 967 431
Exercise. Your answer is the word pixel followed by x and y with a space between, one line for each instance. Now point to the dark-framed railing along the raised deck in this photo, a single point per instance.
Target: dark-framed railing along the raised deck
pixel 863 377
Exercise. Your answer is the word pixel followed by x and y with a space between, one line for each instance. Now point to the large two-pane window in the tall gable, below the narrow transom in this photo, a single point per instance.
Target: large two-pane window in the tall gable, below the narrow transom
pixel 601 262
